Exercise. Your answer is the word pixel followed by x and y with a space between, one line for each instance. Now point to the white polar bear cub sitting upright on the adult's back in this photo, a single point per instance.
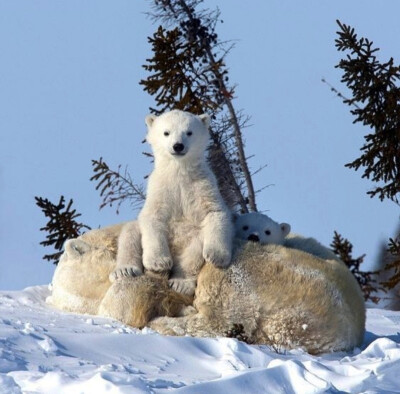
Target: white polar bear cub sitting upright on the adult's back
pixel 184 221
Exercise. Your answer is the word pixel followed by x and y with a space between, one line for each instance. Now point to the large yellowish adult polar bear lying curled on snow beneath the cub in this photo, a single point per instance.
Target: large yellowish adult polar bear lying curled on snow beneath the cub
pixel 283 296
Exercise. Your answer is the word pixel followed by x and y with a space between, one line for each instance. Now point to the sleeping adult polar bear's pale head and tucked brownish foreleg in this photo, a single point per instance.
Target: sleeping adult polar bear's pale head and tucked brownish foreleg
pixel 81 282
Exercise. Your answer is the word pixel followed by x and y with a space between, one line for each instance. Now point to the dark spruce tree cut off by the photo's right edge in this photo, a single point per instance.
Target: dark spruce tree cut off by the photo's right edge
pixel 375 102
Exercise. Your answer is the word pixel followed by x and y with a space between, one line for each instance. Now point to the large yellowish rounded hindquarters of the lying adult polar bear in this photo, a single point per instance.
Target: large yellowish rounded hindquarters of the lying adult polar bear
pixel 283 297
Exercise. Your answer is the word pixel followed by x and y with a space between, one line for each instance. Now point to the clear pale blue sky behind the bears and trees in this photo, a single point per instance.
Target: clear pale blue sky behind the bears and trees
pixel 69 93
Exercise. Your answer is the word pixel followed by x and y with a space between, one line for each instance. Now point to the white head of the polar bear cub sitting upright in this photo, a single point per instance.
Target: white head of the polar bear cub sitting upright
pixel 178 135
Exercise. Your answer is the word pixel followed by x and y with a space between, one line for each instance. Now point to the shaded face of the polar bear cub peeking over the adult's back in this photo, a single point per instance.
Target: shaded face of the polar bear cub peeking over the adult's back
pixel 257 227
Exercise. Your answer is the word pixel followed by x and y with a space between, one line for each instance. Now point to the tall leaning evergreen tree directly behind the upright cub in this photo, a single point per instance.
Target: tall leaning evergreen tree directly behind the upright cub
pixel 188 72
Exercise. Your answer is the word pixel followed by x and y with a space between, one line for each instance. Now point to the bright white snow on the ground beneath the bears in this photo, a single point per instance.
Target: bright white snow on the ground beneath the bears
pixel 43 350
